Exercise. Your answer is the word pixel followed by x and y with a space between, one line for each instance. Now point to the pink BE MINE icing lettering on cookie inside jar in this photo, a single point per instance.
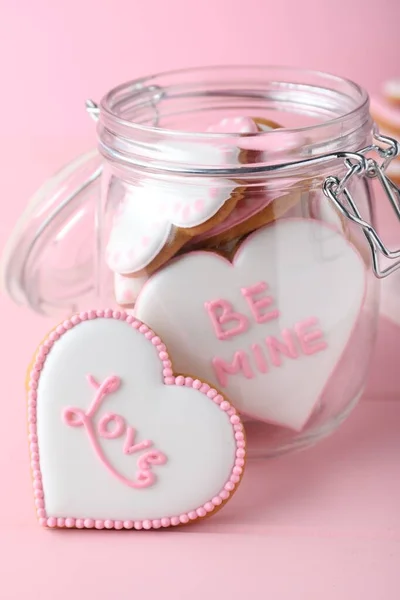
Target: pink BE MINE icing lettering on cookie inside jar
pixel 305 338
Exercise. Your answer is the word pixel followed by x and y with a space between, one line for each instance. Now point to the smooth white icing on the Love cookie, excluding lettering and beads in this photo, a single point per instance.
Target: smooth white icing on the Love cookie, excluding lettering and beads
pixel 193 433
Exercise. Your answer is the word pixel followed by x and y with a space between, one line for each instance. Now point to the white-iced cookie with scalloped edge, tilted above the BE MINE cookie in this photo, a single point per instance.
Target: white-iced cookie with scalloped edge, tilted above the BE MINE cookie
pixel 157 219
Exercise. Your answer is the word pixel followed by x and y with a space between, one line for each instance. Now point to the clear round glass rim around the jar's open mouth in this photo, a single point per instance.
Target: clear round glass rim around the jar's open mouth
pixel 340 106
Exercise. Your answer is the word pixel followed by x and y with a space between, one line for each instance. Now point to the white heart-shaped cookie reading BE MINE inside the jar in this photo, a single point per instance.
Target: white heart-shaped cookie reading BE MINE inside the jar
pixel 268 328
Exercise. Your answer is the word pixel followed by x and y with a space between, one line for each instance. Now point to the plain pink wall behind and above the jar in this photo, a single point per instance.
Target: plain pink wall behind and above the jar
pixel 54 54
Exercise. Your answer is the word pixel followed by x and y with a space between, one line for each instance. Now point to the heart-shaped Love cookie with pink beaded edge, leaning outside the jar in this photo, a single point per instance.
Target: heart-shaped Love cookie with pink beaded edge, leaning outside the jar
pixel 117 440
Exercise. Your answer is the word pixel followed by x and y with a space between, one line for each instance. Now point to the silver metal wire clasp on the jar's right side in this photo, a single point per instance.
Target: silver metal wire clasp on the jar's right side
pixel 338 192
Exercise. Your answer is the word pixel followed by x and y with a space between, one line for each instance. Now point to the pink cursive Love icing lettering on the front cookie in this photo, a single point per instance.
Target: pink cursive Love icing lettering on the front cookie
pixel 112 426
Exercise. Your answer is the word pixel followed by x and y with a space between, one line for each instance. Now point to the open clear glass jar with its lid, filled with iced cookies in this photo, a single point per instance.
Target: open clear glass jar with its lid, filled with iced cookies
pixel 218 221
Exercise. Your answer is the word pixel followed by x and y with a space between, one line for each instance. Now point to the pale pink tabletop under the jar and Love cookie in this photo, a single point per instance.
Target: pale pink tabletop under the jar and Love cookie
pixel 324 523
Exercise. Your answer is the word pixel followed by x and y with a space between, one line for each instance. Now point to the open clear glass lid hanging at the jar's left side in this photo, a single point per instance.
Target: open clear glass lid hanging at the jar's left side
pixel 49 261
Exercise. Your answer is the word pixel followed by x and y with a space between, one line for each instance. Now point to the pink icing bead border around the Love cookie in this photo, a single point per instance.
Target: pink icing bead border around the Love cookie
pixel 169 379
